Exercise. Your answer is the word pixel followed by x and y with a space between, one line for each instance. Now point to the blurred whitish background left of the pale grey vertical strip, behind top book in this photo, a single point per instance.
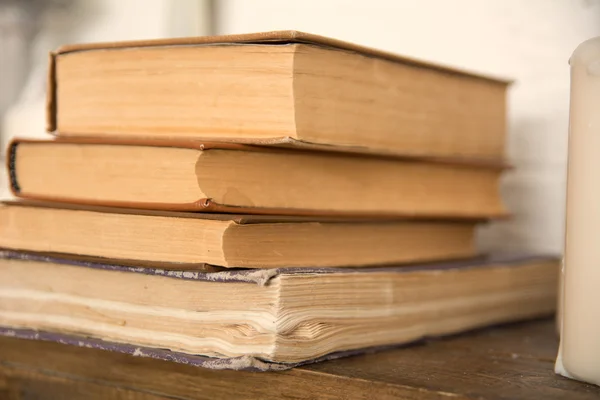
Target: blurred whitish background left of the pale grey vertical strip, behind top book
pixel 94 21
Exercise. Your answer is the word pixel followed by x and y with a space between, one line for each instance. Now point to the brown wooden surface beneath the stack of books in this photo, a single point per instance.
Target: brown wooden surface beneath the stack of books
pixel 510 362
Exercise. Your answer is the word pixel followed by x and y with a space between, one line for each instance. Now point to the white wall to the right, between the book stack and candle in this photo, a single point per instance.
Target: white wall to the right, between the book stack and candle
pixel 527 41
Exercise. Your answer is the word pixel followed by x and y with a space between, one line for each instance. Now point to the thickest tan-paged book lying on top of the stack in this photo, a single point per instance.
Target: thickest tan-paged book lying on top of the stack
pixel 283 88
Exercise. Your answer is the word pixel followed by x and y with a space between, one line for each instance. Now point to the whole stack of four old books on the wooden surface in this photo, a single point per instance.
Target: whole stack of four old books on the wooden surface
pixel 259 201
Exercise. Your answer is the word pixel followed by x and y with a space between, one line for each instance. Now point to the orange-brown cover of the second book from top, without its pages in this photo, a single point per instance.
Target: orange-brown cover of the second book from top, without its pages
pixel 489 210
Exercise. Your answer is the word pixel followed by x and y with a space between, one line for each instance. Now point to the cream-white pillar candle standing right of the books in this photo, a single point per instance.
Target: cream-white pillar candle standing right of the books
pixel 579 354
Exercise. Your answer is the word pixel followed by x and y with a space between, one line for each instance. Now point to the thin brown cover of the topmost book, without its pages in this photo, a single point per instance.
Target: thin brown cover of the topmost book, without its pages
pixel 295 37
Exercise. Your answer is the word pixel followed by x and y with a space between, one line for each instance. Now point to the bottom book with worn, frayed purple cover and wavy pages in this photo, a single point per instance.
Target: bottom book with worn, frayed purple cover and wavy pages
pixel 265 319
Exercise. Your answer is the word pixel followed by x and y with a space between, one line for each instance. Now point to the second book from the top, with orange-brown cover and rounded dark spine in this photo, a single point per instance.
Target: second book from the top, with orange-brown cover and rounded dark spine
pixel 194 176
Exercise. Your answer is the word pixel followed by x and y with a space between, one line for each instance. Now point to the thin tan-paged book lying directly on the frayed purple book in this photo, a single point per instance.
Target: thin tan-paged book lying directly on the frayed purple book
pixel 228 240
